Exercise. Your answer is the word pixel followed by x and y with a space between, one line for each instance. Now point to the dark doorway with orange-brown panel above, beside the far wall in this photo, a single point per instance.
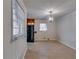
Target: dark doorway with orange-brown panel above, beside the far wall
pixel 30 30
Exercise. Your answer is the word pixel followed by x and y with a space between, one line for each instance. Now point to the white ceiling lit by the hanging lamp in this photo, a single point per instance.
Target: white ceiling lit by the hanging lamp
pixel 40 8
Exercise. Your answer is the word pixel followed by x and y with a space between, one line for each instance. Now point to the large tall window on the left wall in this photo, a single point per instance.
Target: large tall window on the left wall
pixel 17 20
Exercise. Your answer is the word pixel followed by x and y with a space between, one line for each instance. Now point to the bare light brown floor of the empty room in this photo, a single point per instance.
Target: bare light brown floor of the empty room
pixel 49 50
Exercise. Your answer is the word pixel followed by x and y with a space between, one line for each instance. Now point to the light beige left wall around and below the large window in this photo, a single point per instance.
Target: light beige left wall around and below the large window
pixel 11 50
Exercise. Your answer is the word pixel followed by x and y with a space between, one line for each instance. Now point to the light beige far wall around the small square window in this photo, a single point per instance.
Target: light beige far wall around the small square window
pixel 49 34
